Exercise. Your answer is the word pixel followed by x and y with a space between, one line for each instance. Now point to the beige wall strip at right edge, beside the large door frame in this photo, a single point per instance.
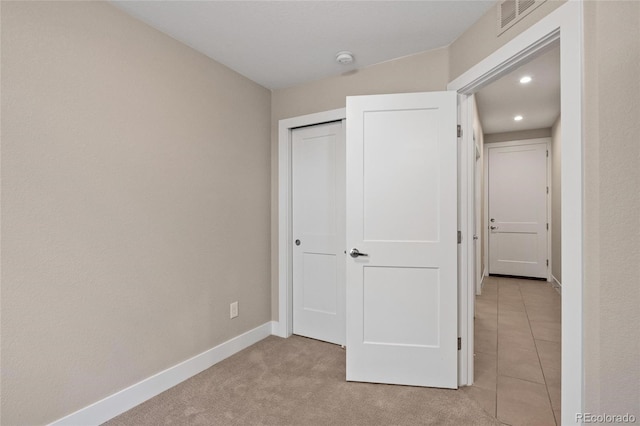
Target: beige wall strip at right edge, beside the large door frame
pixel 612 206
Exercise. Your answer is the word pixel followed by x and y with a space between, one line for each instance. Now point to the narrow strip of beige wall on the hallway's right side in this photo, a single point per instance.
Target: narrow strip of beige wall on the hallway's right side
pixel 556 201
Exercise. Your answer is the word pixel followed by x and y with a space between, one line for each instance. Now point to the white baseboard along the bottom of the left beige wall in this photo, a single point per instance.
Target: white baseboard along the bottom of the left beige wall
pixel 113 405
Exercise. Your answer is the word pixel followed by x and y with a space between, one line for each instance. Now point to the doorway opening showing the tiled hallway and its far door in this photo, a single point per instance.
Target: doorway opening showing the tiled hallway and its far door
pixel 517 325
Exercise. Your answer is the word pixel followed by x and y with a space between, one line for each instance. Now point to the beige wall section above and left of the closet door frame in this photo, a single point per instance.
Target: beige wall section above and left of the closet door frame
pixel 427 71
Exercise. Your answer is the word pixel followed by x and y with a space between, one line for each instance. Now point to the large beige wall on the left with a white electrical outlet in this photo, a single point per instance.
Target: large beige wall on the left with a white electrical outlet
pixel 135 205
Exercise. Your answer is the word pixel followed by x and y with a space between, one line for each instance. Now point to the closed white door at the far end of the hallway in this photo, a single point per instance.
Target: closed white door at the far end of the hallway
pixel 517 197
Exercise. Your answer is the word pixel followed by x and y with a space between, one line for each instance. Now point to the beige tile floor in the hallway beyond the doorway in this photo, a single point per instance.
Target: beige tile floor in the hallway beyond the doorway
pixel 517 351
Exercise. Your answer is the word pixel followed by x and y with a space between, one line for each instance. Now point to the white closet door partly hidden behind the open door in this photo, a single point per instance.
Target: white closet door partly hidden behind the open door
pixel 318 194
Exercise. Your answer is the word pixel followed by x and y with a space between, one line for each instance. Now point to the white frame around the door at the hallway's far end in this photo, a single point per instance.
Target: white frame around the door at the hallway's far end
pixel 485 226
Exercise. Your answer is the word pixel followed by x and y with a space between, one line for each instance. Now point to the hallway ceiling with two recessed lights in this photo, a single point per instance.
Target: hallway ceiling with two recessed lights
pixel 538 101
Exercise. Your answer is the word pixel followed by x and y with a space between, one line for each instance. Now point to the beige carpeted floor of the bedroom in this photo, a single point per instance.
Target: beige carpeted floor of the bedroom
pixel 298 381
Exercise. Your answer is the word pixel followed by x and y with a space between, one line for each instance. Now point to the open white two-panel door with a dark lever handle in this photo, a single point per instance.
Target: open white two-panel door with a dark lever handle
pixel 402 212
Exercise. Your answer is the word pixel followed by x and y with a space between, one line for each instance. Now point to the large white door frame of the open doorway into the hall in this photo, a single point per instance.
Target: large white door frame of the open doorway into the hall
pixel 566 25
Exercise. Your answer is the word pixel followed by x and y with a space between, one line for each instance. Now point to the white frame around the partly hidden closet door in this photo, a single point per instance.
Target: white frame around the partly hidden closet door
pixel 284 326
